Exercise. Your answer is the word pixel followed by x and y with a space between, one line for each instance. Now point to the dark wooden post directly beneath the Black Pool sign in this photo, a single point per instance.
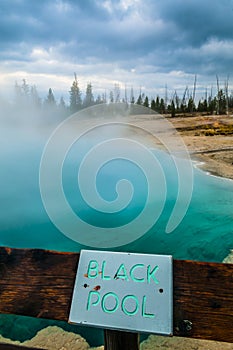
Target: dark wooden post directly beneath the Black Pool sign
pixel 118 340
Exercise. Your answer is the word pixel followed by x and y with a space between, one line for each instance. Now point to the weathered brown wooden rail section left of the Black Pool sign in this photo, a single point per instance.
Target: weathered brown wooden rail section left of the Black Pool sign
pixel 37 283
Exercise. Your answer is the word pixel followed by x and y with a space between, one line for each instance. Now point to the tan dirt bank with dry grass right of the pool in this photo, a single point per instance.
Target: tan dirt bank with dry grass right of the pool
pixel 209 139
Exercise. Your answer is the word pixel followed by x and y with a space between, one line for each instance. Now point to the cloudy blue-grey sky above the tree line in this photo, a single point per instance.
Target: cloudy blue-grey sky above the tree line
pixel 139 43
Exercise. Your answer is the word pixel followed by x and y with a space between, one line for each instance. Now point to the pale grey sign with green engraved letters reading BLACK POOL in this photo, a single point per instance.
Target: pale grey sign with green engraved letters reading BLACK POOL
pixel 124 291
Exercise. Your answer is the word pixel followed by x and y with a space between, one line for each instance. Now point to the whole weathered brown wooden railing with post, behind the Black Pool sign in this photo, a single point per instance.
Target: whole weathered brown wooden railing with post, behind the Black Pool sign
pixel 39 283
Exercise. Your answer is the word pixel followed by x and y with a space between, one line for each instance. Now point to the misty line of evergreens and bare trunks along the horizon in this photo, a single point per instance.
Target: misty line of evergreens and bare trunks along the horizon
pixel 26 96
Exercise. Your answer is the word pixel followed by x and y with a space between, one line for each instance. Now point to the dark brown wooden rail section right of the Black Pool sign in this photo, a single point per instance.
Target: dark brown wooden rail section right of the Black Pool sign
pixel 203 295
